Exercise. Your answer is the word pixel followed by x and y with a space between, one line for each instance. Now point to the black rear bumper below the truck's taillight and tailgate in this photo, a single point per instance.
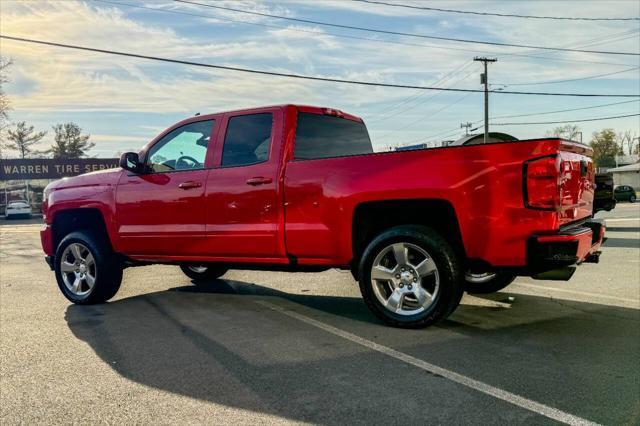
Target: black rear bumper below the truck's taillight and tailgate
pixel 567 248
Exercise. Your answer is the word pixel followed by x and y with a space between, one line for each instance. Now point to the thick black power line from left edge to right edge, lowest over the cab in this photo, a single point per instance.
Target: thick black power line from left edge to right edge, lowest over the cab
pixel 301 76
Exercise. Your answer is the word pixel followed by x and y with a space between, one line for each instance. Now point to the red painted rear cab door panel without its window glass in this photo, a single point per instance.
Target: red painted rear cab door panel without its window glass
pixel 244 216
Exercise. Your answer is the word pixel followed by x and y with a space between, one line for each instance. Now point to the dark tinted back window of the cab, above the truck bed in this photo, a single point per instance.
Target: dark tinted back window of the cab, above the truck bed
pixel 325 136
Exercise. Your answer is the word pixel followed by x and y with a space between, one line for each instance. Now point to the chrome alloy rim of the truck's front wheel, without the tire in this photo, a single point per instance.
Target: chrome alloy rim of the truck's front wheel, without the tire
pixel 78 269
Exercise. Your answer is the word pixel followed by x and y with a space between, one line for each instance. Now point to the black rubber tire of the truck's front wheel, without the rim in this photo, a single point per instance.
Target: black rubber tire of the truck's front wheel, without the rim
pixel 107 272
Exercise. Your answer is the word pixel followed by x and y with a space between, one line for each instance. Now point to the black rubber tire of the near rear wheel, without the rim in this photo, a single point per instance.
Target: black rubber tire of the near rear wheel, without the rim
pixel 448 268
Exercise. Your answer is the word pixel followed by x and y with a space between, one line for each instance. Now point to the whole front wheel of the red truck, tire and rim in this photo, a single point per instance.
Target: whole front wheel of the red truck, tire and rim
pixel 87 270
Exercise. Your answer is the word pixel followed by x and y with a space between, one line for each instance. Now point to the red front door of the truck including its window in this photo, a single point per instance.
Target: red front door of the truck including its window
pixel 162 210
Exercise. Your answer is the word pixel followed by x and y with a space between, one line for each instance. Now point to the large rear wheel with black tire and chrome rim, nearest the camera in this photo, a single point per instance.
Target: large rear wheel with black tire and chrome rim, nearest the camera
pixel 410 277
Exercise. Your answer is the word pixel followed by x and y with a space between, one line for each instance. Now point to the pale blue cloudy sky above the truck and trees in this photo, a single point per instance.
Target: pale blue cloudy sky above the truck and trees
pixel 53 80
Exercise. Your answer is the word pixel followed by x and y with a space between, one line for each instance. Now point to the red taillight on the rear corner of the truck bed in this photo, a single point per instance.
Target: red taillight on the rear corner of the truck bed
pixel 542 189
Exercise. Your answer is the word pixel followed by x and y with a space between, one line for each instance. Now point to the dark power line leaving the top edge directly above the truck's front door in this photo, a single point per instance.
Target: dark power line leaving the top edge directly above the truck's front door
pixel 398 33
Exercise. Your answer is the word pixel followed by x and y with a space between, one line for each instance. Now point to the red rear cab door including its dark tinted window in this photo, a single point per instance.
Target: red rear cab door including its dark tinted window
pixel 244 214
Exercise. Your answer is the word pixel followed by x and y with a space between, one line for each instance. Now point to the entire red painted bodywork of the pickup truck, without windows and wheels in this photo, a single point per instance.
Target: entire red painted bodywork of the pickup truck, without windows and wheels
pixel 304 209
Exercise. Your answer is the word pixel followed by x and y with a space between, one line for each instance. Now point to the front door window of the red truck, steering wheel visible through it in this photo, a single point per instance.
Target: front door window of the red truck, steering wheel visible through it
pixel 184 148
